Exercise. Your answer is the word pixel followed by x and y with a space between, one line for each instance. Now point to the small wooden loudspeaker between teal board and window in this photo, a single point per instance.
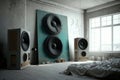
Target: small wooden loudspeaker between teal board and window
pixel 81 48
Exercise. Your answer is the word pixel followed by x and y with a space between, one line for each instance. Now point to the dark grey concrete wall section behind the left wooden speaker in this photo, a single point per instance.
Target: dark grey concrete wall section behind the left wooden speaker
pixel 12 15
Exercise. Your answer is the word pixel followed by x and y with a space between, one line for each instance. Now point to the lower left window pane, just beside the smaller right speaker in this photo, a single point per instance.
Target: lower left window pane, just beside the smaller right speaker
pixel 95 39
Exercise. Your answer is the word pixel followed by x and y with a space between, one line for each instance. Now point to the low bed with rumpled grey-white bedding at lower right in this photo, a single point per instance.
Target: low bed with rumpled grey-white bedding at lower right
pixel 99 69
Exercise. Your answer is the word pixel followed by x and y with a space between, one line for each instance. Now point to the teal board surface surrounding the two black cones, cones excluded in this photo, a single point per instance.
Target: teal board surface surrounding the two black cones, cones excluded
pixel 42 35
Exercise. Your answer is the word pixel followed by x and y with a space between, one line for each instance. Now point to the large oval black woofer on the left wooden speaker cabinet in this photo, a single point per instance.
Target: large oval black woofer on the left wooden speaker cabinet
pixel 25 41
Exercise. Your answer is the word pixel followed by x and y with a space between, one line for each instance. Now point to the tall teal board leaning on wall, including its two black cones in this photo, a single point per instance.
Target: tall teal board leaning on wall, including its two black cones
pixel 52 33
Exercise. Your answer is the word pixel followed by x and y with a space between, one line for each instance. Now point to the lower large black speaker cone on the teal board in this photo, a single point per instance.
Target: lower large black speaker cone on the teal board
pixel 53 46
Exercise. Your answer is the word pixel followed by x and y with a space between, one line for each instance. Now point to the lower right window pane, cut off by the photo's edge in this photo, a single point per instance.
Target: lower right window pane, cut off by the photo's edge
pixel 116 38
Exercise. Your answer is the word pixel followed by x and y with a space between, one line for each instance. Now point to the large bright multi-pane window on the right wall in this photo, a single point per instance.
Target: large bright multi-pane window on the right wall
pixel 104 33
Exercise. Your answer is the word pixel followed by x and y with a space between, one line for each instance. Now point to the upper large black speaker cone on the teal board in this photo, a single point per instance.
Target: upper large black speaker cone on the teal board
pixel 52 24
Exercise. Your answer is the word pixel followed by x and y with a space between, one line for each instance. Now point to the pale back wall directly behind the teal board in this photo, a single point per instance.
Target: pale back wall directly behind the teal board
pixel 75 20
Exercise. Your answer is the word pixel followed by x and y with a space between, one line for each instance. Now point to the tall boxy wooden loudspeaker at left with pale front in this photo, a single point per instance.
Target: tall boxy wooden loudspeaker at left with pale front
pixel 19 48
